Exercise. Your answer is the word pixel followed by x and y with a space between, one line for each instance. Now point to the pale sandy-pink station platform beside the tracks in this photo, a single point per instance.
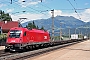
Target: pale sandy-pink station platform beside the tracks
pixel 79 51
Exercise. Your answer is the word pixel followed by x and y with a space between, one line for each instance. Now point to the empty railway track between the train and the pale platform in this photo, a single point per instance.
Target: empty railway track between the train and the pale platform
pixel 25 55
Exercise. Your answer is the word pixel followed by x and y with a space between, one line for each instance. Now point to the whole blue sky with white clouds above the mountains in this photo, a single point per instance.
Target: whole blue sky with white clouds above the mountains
pixel 41 9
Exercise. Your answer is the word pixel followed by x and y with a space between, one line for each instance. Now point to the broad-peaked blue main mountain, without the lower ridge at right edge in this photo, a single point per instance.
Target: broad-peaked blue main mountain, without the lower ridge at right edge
pixel 65 21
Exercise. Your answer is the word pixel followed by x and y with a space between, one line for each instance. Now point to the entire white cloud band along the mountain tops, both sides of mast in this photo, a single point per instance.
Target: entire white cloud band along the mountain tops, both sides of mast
pixel 85 15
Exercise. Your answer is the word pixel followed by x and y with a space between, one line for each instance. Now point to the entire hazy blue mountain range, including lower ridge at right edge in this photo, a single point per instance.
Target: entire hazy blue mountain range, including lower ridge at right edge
pixel 65 22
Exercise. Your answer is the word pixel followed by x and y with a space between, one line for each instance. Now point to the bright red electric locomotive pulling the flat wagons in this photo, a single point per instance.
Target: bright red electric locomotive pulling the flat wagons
pixel 20 38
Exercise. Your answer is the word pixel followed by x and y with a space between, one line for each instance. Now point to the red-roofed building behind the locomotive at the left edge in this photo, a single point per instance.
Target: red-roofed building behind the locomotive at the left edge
pixel 5 26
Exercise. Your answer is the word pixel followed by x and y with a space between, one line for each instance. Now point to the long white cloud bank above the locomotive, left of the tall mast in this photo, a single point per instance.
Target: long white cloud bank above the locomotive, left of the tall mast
pixel 29 17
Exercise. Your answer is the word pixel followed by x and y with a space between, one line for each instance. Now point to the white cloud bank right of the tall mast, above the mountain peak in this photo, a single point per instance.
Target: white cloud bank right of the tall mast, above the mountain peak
pixel 84 15
